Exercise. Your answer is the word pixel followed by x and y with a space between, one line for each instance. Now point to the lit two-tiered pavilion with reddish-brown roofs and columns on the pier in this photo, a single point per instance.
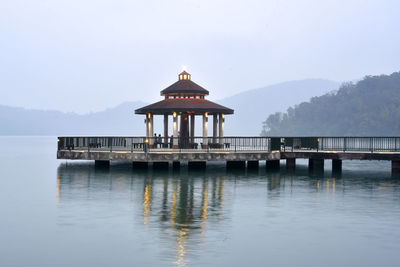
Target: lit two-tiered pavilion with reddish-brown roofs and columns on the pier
pixel 185 99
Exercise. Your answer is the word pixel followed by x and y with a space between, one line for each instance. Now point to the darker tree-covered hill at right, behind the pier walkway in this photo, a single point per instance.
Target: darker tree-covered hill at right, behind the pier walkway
pixel 369 107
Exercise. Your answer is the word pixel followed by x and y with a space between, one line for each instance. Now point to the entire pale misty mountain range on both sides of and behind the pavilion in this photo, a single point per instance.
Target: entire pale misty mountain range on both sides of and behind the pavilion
pixel 251 108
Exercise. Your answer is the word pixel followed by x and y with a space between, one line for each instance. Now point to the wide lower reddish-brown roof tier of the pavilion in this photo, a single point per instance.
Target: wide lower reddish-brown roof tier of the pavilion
pixel 189 105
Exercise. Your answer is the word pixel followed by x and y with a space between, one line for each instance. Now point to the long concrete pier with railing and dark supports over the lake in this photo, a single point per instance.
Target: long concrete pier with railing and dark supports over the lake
pixel 236 152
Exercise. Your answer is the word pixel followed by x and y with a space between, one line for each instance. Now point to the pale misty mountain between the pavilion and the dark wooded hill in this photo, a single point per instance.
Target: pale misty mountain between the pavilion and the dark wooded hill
pixel 254 106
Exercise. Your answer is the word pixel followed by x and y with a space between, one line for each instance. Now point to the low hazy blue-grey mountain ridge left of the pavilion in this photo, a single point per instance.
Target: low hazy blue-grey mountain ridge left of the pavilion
pixel 115 121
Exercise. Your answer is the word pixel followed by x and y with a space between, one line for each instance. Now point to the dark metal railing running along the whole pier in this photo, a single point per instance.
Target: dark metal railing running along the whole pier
pixel 233 143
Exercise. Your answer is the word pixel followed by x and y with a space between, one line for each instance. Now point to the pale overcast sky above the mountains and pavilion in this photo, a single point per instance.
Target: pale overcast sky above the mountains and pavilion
pixel 87 55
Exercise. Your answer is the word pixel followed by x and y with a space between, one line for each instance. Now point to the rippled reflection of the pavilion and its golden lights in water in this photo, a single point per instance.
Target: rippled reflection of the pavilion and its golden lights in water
pixel 181 208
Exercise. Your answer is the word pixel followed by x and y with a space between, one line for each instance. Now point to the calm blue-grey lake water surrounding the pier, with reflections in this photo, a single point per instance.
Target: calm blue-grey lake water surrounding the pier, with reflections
pixel 63 213
